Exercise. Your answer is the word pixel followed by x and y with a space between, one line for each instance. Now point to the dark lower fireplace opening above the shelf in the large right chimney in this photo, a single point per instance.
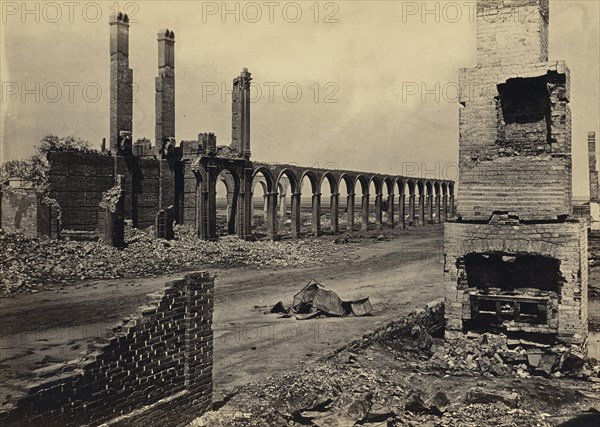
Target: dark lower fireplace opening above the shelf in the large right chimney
pixel 508 273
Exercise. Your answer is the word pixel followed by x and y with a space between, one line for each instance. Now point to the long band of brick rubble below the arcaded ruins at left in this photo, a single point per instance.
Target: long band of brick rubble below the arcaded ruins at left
pixel 35 264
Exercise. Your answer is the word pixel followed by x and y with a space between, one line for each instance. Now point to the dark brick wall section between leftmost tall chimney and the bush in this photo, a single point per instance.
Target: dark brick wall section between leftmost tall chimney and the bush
pixel 77 181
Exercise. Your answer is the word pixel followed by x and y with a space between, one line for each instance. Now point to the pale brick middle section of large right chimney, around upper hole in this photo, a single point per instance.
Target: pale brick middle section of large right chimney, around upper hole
pixel 520 168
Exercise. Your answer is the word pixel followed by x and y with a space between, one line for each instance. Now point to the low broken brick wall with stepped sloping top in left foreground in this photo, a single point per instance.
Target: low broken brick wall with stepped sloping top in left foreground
pixel 154 370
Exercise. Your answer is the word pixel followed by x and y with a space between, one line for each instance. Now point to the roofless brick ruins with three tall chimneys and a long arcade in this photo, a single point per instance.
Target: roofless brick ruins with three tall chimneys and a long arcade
pixel 162 183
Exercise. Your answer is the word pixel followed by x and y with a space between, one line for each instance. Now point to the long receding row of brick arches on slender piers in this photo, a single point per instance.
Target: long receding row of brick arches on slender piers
pixel 295 201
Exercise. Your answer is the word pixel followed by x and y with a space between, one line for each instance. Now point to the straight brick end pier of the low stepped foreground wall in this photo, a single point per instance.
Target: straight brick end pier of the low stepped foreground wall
pixel 198 338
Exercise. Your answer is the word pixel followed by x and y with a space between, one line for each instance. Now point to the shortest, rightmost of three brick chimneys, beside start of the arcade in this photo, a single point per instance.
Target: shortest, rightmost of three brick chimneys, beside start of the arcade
pixel 240 110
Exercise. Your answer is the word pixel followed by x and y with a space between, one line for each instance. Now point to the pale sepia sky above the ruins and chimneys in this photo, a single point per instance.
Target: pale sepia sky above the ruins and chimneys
pixel 366 61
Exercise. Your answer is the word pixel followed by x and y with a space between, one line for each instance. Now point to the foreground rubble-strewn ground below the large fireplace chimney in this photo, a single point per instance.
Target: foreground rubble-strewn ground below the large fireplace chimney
pixel 399 375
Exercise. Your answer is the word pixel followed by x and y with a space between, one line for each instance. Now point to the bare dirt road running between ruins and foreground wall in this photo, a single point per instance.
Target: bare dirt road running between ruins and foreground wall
pixel 397 274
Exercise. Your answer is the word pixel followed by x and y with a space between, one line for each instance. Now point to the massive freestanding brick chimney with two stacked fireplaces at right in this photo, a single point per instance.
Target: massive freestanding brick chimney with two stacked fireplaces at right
pixel 516 257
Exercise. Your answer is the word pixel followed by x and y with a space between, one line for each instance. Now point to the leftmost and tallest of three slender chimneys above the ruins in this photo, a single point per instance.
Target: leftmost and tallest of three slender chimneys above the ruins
pixel 121 80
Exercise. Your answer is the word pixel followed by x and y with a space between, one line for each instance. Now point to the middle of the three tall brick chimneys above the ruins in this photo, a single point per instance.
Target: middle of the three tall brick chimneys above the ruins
pixel 165 88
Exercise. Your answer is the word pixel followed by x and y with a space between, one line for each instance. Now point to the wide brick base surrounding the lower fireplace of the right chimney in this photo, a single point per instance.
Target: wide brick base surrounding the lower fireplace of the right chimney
pixel 566 242
